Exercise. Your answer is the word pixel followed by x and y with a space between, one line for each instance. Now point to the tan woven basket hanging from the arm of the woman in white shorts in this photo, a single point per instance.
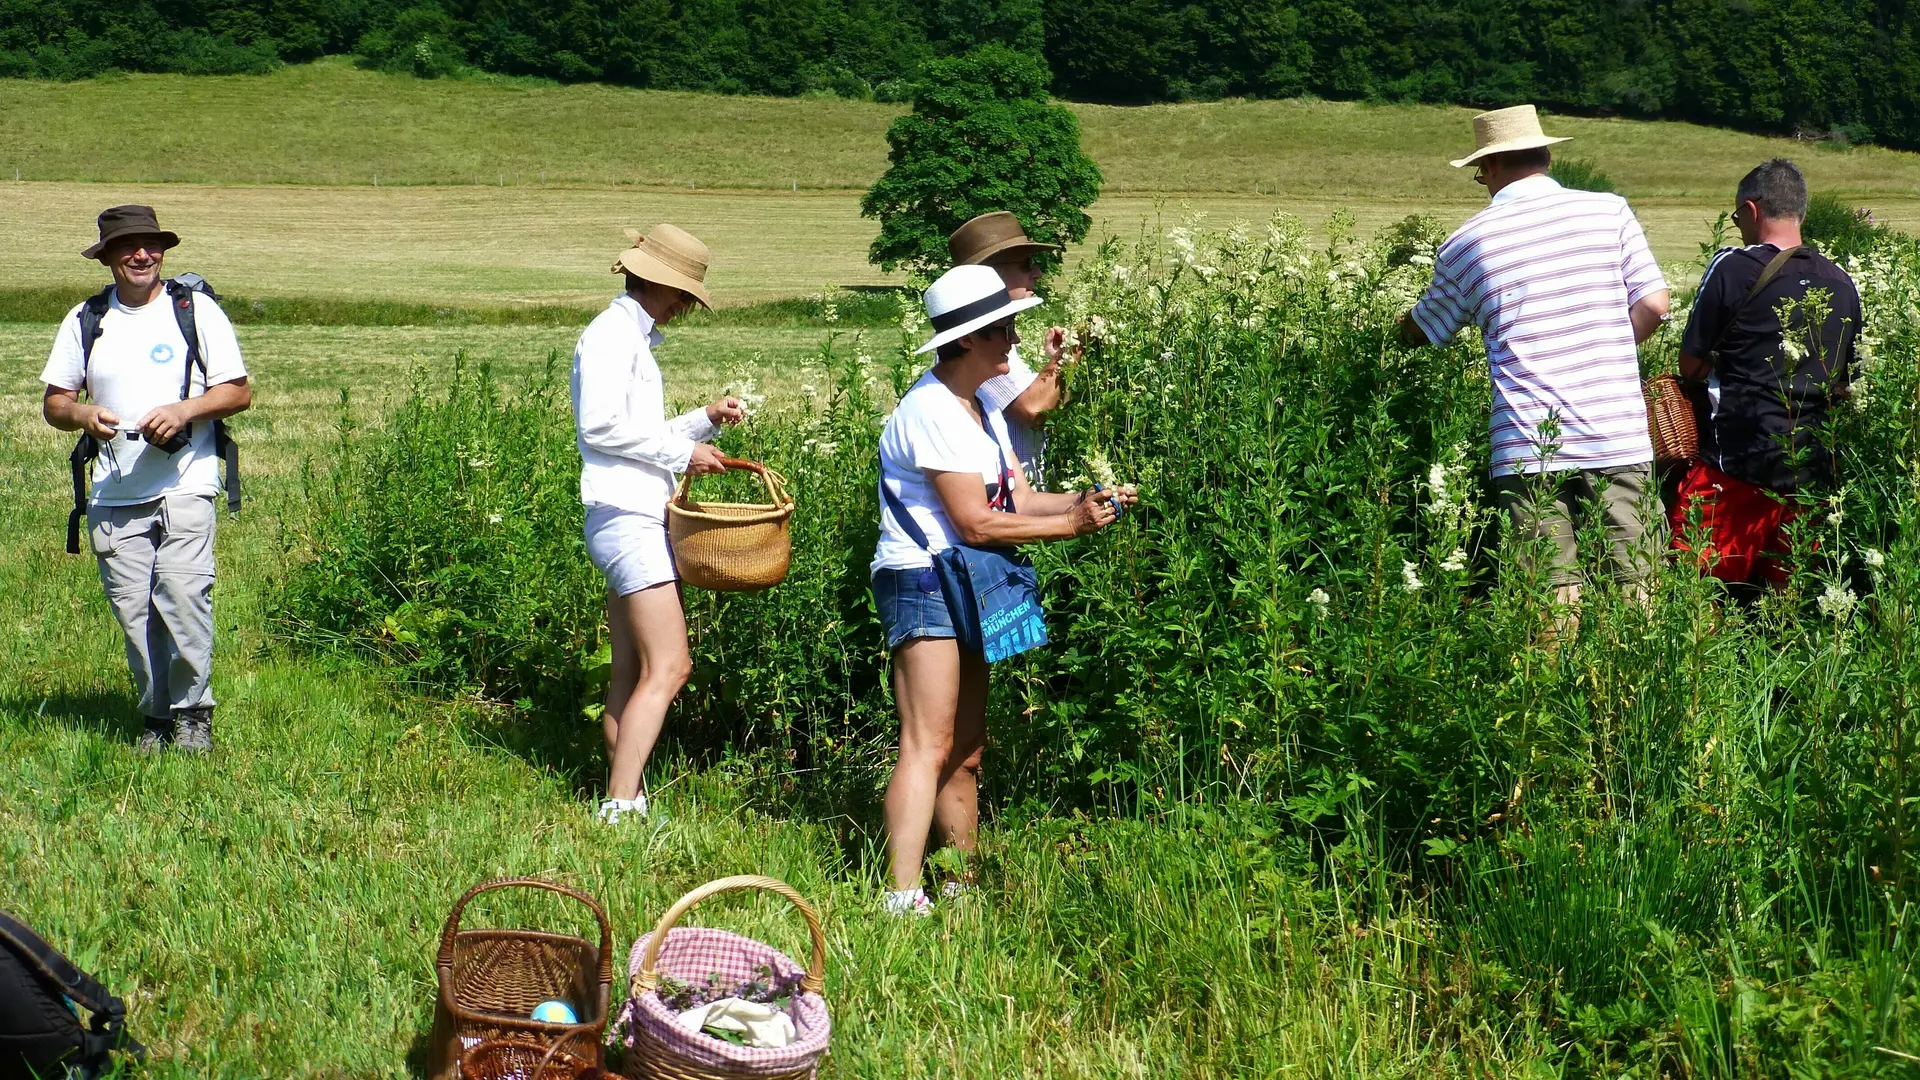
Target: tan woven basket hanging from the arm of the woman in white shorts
pixel 731 547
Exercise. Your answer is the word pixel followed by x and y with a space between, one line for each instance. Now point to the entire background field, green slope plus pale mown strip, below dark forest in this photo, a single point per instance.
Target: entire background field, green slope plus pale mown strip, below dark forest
pixel 343 184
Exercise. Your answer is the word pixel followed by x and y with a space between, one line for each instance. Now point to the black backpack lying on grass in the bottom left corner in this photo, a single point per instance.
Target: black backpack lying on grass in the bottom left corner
pixel 41 1033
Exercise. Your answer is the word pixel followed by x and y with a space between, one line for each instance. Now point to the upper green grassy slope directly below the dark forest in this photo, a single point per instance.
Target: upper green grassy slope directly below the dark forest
pixel 331 124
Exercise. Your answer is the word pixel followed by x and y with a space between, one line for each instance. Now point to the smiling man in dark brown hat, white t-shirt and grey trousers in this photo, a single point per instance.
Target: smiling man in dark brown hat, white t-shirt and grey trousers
pixel 151 512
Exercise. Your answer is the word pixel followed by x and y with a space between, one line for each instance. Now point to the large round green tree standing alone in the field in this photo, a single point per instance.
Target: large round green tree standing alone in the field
pixel 982 137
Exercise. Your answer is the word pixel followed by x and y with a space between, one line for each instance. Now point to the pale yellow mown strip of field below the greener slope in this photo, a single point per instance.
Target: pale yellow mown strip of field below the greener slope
pixel 477 247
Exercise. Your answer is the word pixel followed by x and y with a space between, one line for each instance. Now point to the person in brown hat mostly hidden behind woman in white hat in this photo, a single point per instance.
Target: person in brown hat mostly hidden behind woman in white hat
pixel 1024 397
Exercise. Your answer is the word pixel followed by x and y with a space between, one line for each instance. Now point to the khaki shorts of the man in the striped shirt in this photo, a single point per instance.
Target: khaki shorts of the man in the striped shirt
pixel 1560 504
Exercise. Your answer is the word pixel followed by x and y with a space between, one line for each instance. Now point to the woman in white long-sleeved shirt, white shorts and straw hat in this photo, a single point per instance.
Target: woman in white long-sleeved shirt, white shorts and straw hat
pixel 629 456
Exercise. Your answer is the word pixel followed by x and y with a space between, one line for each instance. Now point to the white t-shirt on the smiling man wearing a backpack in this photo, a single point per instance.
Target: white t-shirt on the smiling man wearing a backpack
pixel 137 366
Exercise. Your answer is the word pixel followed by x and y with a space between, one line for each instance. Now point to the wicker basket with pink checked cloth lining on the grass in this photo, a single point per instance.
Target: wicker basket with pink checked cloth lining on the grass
pixel 663 1050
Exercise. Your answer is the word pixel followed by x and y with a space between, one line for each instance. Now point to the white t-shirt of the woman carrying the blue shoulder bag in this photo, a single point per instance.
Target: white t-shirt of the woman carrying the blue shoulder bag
pixel 932 430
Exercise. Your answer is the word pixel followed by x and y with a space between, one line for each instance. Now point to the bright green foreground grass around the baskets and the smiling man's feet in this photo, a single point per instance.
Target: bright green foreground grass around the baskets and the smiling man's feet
pixel 274 910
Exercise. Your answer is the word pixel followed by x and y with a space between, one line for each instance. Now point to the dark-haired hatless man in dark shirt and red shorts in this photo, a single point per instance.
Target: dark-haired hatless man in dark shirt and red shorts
pixel 1764 391
